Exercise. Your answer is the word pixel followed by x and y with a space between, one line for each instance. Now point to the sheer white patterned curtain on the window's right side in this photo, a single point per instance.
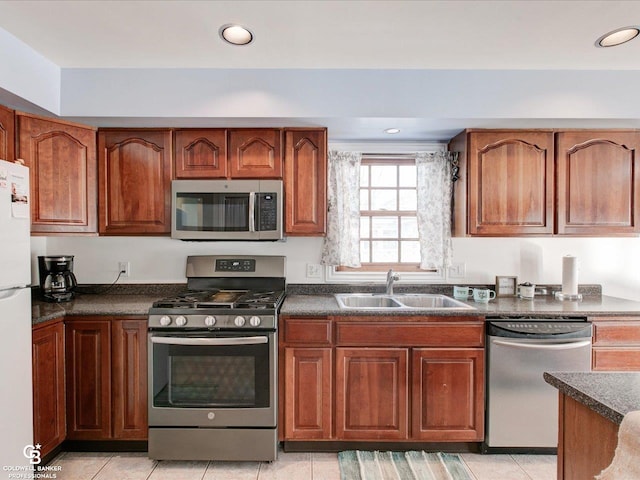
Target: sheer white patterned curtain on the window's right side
pixel 434 190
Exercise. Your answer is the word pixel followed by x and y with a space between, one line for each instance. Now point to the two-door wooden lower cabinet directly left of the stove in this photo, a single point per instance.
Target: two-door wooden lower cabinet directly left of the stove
pixel 106 378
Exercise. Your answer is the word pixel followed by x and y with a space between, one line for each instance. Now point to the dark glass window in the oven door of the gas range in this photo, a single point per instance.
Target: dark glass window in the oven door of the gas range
pixel 211 376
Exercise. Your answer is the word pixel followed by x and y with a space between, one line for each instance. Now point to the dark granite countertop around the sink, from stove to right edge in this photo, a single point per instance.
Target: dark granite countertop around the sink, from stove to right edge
pixel 590 305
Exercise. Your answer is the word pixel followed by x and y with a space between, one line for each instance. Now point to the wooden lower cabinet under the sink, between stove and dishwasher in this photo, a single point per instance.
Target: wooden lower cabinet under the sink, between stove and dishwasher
pixel 420 380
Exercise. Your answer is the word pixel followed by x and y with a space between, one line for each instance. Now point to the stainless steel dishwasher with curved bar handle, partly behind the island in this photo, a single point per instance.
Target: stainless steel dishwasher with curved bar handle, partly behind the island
pixel 522 409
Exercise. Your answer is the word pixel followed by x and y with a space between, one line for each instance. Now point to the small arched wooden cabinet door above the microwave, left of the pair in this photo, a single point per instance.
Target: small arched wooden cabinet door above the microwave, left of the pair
pixel 201 153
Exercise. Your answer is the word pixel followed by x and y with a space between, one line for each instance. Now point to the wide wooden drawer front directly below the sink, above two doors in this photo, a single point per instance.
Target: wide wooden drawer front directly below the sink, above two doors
pixel 404 334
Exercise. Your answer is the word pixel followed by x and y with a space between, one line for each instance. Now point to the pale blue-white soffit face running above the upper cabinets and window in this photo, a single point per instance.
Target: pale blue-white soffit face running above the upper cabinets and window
pixel 500 94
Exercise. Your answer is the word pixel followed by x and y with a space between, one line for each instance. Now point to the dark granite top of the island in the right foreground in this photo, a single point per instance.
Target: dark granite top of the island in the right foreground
pixel 610 394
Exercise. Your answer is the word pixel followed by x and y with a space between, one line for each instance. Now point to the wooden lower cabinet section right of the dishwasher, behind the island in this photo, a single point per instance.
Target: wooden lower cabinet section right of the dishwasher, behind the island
pixel 616 344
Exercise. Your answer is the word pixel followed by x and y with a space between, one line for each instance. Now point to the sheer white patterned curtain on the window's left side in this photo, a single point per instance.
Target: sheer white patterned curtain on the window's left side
pixel 342 243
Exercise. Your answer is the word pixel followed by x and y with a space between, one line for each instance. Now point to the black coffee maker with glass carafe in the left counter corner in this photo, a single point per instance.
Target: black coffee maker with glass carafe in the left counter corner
pixel 57 281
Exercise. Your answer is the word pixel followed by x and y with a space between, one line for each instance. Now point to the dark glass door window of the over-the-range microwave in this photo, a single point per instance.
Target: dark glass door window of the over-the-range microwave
pixel 212 212
